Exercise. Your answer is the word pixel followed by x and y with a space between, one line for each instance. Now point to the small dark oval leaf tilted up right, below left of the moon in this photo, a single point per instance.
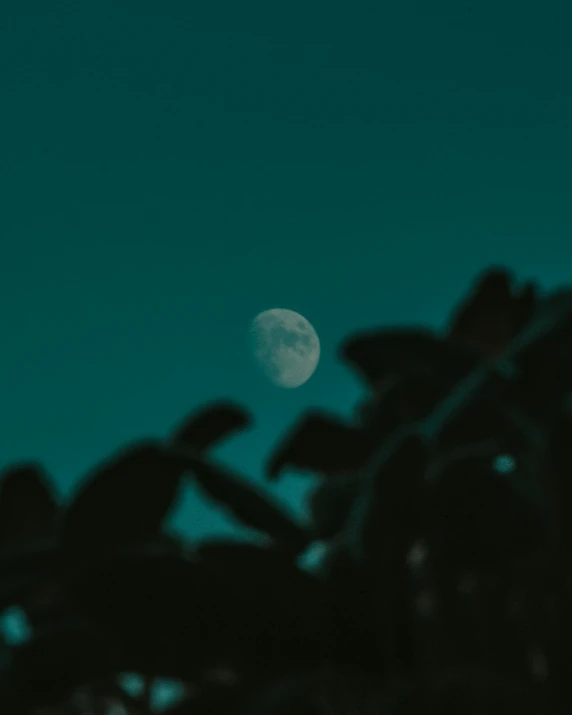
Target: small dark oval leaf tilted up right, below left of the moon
pixel 209 425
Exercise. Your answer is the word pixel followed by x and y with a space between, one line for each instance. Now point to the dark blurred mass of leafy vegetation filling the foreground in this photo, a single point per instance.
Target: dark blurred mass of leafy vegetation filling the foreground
pixel 445 507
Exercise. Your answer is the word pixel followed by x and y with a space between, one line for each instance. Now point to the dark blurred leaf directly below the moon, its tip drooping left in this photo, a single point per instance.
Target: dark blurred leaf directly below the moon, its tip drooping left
pixel 321 444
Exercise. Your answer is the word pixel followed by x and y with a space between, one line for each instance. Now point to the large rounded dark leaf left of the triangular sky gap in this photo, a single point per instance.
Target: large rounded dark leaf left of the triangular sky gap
pixel 125 500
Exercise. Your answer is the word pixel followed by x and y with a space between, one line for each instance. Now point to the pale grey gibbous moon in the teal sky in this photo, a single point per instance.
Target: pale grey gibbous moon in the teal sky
pixel 286 346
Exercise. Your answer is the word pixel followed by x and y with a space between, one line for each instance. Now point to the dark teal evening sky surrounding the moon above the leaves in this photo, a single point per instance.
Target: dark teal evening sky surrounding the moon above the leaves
pixel 169 169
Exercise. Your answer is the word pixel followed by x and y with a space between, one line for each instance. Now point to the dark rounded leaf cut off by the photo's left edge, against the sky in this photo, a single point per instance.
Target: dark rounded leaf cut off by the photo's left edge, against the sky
pixel 27 504
